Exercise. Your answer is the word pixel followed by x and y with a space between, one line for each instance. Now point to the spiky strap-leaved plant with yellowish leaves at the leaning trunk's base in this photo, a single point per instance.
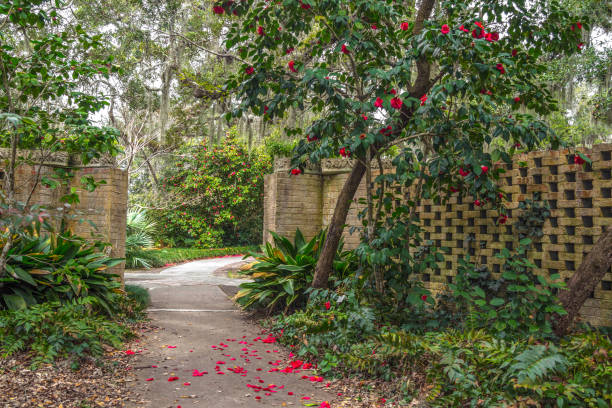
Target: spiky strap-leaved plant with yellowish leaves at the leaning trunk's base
pixel 284 272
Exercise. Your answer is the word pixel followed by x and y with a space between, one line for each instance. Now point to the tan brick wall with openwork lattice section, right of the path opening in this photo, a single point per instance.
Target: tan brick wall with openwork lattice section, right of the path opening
pixel 580 200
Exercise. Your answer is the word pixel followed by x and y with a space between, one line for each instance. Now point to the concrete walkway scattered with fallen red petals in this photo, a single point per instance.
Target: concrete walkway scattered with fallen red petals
pixel 201 329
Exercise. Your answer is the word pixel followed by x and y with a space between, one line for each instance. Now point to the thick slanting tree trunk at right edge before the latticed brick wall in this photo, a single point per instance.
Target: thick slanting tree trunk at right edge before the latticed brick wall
pixel 584 281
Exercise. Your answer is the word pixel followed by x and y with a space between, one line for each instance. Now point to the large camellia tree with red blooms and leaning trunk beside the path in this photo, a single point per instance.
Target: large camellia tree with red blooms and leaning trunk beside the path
pixel 453 84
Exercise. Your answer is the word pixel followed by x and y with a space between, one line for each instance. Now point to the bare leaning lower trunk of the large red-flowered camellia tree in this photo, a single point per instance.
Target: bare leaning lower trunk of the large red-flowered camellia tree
pixel 336 226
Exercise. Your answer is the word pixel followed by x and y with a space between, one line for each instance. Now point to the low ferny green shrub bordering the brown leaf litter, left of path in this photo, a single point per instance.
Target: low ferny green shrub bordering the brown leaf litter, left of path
pixel 56 330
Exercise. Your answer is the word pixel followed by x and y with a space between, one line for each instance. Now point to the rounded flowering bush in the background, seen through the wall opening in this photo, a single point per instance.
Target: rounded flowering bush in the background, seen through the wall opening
pixel 216 196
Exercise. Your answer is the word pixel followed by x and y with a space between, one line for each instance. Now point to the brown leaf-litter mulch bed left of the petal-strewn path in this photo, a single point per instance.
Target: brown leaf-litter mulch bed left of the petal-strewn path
pixel 96 383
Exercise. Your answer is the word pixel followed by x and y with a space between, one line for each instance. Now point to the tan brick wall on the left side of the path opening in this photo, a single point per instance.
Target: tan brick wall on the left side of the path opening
pixel 105 207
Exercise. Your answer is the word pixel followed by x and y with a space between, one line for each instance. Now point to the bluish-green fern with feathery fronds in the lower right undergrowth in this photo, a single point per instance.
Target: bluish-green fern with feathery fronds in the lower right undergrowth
pixel 536 363
